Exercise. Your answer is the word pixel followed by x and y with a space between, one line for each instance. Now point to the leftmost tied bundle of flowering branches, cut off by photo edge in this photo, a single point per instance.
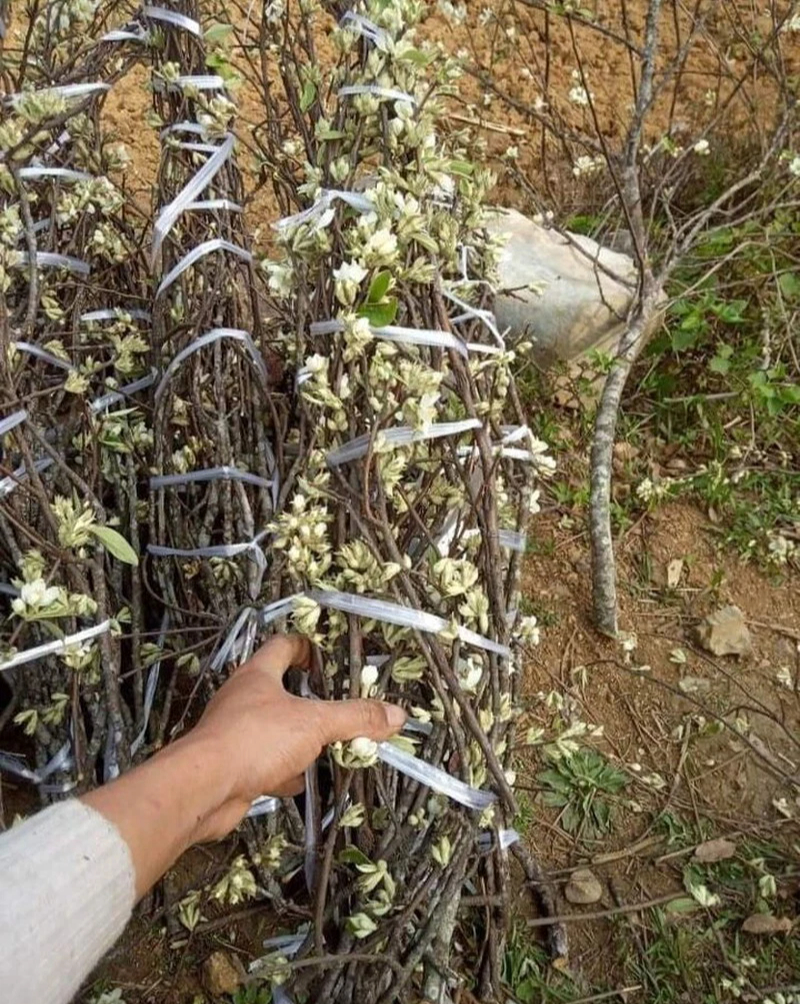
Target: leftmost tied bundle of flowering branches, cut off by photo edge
pixel 72 351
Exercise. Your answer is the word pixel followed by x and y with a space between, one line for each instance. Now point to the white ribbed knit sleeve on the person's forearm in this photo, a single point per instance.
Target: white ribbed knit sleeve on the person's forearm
pixel 67 893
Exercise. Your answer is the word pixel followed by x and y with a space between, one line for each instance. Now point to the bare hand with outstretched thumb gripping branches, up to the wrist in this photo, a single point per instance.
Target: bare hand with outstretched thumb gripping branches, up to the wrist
pixel 263 738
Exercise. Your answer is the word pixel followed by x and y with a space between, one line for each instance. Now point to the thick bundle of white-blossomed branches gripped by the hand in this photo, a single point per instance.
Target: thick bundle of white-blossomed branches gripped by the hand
pixel 402 543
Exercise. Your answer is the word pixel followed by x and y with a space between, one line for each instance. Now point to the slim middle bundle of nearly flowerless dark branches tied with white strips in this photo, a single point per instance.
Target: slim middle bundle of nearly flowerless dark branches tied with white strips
pixel 219 430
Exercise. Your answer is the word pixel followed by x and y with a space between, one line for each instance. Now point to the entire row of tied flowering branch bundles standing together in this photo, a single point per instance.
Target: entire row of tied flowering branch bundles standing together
pixel 199 448
